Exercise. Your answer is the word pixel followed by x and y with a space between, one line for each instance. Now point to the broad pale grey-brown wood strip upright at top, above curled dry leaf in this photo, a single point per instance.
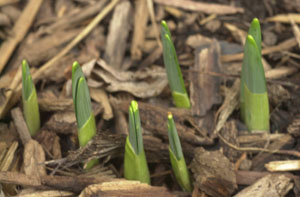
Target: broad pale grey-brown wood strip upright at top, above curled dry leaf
pixel 117 36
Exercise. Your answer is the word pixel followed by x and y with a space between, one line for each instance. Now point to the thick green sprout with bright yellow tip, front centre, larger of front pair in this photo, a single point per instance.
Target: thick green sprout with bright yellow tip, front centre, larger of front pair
pixel 135 164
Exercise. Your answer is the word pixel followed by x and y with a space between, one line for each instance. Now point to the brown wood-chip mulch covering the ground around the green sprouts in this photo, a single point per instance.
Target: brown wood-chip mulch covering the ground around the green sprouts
pixel 118 45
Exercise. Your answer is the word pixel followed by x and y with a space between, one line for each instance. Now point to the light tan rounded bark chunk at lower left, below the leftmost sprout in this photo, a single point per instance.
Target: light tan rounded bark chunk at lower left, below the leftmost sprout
pixel 34 156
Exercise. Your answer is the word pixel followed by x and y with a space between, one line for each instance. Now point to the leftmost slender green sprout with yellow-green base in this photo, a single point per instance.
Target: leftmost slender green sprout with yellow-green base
pixel 30 102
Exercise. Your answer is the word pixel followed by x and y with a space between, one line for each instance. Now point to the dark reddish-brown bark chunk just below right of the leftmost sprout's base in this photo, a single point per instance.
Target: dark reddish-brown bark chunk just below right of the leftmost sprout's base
pixel 50 142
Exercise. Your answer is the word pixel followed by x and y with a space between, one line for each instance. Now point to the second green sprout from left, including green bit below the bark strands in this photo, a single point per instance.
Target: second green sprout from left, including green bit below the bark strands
pixel 82 103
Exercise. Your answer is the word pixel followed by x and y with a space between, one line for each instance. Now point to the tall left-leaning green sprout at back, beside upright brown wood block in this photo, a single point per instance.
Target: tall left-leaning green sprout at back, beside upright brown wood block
pixel 179 94
